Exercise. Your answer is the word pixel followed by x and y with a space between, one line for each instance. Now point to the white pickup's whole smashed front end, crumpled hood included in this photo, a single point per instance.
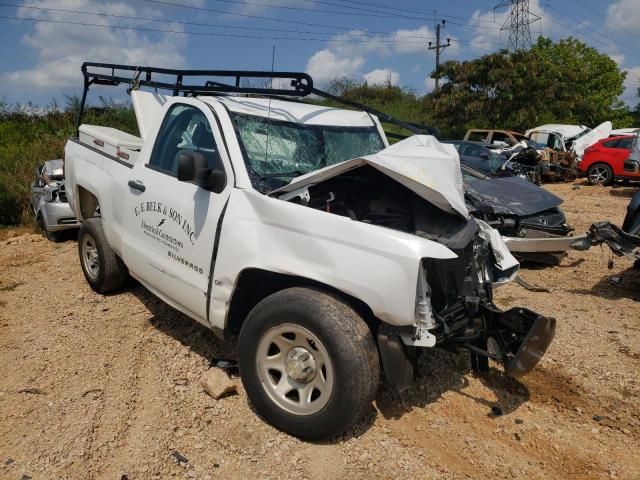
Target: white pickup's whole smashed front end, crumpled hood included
pixel 454 297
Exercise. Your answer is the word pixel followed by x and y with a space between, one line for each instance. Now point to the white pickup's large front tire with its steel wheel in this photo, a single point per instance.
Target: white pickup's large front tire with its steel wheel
pixel 343 356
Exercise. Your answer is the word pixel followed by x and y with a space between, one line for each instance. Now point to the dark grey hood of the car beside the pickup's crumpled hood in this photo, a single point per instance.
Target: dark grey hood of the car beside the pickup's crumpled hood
pixel 509 196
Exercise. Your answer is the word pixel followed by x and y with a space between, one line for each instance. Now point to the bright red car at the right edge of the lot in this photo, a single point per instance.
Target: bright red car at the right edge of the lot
pixel 608 160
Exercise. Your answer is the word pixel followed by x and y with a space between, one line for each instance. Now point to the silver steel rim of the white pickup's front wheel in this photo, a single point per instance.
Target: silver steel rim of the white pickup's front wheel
pixel 295 369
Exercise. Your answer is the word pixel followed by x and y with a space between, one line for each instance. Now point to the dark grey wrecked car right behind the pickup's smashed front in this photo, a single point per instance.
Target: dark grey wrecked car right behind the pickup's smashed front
pixel 527 216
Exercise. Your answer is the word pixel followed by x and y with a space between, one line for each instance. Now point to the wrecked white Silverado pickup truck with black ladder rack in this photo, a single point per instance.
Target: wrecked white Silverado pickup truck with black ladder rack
pixel 296 227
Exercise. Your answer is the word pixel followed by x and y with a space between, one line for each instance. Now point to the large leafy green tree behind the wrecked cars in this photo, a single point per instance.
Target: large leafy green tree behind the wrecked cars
pixel 559 82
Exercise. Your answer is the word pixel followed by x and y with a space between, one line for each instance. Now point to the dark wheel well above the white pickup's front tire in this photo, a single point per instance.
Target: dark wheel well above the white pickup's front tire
pixel 254 285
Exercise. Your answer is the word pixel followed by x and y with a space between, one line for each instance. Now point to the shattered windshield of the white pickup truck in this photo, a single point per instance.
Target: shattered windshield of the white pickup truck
pixel 273 148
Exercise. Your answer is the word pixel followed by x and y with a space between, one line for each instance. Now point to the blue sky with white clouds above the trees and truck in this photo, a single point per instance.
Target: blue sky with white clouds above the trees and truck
pixel 372 40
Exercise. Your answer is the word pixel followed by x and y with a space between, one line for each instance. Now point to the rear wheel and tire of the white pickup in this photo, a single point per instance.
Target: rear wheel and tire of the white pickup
pixel 102 268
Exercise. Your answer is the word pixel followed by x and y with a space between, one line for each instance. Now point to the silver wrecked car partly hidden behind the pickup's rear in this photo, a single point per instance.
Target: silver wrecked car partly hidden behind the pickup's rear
pixel 49 200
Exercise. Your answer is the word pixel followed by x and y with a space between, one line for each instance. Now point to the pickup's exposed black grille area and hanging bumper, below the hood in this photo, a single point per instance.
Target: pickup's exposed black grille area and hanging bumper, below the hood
pixel 455 310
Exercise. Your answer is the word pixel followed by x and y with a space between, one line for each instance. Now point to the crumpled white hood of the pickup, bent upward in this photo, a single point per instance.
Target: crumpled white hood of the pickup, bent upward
pixel 421 163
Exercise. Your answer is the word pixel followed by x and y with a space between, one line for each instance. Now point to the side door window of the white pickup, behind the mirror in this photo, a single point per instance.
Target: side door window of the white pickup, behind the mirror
pixel 185 128
